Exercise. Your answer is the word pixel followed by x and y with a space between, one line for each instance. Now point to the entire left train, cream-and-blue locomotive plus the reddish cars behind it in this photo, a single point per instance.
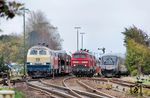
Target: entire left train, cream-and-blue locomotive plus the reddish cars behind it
pixel 44 62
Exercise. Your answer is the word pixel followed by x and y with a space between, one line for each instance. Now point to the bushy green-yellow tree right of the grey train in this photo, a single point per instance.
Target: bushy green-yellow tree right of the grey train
pixel 138 55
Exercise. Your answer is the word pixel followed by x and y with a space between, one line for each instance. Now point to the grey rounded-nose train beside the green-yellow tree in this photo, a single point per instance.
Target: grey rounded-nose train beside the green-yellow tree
pixel 113 66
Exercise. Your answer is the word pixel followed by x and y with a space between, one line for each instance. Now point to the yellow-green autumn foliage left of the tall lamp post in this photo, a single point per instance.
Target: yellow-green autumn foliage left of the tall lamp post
pixel 11 48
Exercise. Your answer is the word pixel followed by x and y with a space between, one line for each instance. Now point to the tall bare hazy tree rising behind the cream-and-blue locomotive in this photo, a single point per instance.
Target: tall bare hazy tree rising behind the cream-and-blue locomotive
pixel 40 31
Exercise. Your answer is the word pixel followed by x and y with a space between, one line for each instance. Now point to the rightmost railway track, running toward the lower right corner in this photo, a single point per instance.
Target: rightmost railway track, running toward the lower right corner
pixel 120 85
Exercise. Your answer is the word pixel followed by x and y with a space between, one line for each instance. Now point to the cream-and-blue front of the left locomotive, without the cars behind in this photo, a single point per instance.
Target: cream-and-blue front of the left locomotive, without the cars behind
pixel 38 61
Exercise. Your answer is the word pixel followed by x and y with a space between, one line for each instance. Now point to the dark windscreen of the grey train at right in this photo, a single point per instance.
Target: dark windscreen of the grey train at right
pixel 109 60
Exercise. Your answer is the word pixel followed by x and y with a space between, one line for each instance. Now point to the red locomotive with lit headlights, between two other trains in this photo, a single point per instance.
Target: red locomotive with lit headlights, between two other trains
pixel 83 63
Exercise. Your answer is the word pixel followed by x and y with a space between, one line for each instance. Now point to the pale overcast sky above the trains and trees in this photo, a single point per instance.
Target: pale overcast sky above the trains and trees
pixel 101 20
